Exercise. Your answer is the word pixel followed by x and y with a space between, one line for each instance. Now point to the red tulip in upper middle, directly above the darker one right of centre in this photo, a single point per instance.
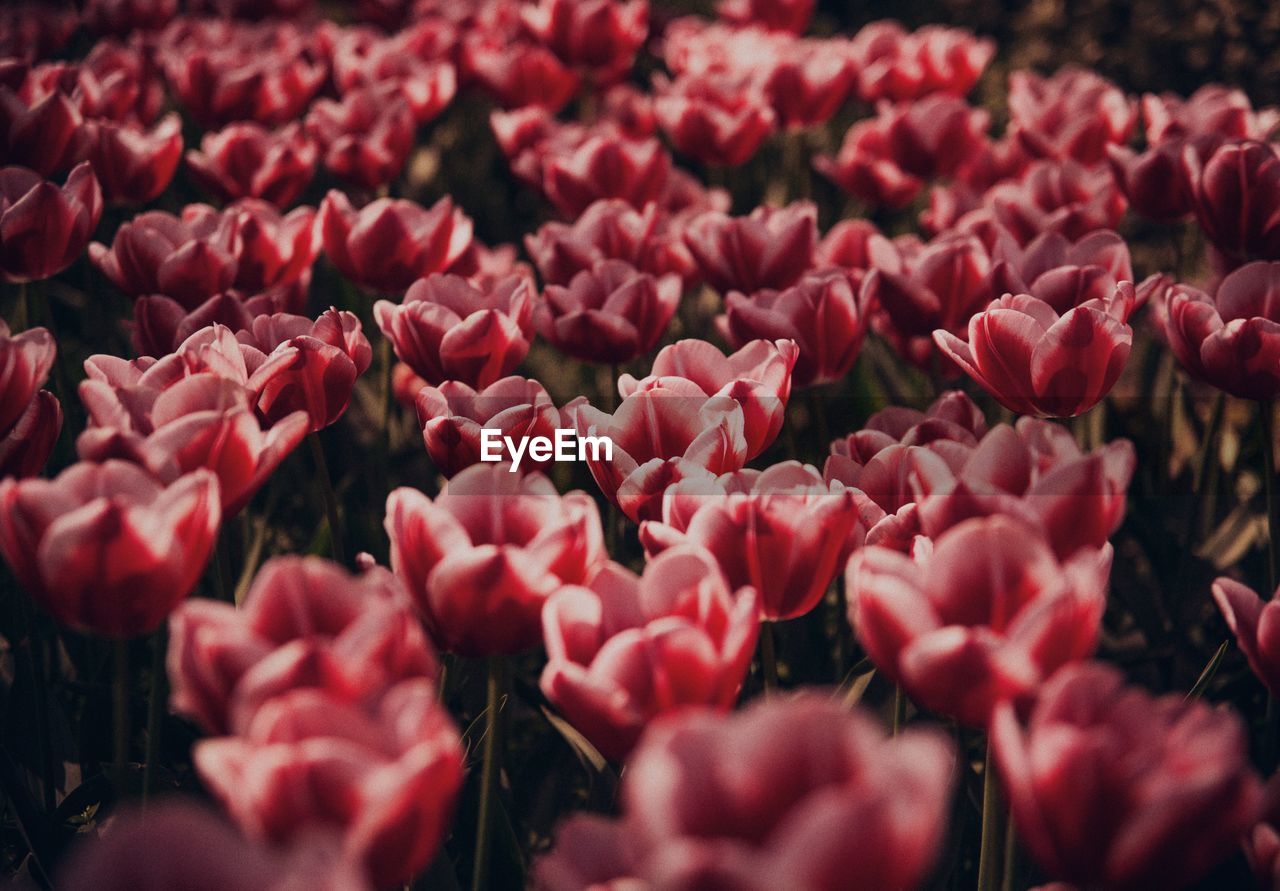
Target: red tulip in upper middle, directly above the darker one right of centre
pixel 771 249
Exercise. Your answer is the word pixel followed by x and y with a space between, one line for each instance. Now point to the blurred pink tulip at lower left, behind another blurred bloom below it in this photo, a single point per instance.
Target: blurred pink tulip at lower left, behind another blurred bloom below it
pixel 305 624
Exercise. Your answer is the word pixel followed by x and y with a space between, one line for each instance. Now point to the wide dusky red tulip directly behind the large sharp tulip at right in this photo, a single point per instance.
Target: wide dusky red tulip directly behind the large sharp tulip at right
pixel 1035 473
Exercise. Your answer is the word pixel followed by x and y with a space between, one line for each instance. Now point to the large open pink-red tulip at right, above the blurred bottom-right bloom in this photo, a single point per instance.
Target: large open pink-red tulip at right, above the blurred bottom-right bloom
pixel 982 620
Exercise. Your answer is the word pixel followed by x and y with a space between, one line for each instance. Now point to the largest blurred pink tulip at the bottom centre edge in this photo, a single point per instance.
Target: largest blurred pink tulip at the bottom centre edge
pixel 766 799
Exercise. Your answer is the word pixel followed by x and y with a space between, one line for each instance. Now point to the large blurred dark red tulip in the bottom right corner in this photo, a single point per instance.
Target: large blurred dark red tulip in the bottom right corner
pixel 1113 788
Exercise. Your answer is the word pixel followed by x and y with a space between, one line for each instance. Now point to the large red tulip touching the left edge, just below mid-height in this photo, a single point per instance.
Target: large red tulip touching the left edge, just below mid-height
pixel 108 549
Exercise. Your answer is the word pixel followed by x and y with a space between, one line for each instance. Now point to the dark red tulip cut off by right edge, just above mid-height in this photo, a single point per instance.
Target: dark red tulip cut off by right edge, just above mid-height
pixel 1231 340
